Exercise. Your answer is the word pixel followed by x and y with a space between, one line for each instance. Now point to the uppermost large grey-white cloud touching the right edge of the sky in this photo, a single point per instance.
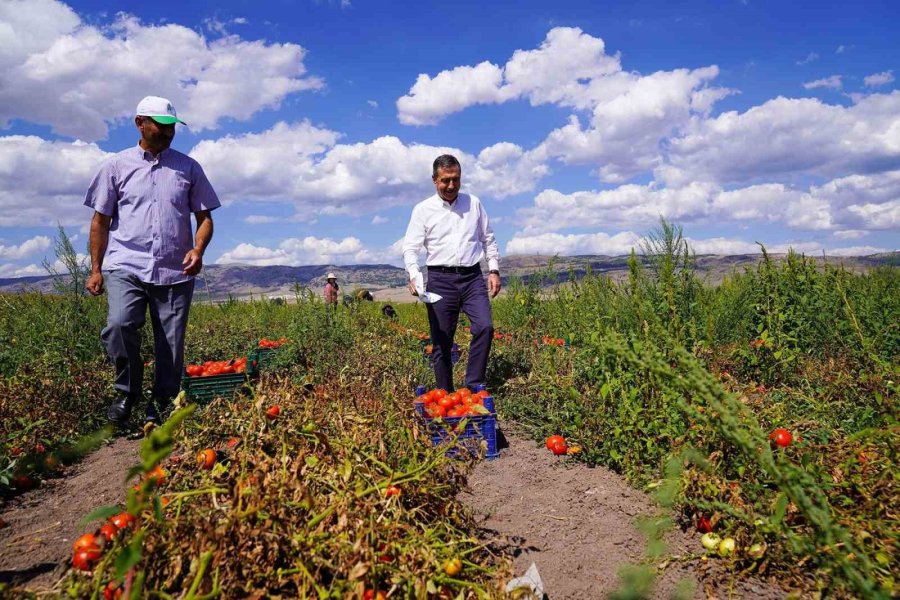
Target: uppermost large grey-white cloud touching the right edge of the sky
pixel 787 137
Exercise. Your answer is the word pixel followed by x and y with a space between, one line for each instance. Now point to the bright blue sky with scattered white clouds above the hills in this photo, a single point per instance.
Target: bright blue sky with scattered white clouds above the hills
pixel 578 123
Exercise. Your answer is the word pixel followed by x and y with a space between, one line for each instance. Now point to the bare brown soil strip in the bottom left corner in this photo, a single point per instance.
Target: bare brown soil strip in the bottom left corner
pixel 36 544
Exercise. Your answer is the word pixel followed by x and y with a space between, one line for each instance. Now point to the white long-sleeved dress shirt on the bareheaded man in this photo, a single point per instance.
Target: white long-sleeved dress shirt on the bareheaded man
pixel 454 235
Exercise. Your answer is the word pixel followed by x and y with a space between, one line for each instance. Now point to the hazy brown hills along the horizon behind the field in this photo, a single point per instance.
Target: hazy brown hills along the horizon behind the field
pixel 388 282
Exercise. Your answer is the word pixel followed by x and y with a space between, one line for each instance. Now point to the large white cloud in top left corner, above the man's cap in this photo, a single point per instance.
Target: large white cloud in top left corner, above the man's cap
pixel 80 78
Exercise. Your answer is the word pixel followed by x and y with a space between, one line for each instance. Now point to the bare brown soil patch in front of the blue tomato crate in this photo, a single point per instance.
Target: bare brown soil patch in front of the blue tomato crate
pixel 577 524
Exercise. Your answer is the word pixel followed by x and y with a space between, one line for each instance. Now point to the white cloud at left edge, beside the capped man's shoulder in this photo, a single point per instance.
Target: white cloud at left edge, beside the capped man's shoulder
pixel 43 182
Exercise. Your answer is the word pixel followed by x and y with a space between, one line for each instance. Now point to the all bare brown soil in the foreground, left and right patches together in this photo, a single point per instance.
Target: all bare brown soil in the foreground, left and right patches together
pixel 574 522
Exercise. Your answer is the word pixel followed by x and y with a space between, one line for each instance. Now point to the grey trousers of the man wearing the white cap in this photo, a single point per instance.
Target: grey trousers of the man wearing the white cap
pixel 128 299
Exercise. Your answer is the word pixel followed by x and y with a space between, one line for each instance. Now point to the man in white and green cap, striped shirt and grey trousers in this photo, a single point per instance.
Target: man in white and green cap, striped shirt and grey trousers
pixel 144 249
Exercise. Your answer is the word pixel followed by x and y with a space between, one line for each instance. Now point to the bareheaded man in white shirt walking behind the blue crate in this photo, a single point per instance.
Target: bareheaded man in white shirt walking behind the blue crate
pixel 456 235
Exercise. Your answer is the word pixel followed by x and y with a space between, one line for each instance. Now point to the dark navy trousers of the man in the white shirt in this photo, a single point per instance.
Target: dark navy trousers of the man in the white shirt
pixel 464 292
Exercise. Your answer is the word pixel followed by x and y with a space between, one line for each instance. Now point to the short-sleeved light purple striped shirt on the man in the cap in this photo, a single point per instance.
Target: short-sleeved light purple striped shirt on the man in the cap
pixel 150 199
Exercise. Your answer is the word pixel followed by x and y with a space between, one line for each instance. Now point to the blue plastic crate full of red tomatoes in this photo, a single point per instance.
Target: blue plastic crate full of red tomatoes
pixel 464 421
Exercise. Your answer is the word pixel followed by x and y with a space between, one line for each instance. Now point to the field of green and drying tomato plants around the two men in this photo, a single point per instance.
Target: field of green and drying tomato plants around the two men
pixel 674 384
